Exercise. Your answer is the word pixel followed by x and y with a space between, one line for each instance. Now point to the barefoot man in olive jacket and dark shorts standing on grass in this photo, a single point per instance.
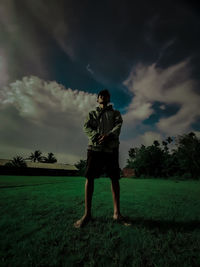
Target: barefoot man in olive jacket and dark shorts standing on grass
pixel 102 127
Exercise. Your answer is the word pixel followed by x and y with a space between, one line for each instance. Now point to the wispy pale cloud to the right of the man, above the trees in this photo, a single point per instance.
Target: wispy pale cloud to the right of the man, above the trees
pixel 172 85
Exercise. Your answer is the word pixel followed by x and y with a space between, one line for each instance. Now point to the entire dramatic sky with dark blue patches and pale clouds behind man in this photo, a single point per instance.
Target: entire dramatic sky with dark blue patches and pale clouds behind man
pixel 56 55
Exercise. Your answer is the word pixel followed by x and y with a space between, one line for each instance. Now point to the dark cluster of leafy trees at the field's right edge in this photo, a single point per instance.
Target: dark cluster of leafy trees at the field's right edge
pixel 157 161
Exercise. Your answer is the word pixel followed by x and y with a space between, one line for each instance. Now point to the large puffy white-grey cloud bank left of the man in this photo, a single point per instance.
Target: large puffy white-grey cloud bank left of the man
pixel 44 115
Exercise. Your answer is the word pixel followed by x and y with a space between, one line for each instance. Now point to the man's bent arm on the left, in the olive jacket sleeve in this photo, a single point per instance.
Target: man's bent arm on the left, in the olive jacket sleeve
pixel 90 129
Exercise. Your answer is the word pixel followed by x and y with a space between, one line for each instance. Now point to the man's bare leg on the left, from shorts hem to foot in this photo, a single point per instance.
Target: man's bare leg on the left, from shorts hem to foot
pixel 89 189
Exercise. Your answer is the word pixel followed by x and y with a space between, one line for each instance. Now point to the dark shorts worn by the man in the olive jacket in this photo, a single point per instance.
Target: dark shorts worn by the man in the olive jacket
pixel 99 163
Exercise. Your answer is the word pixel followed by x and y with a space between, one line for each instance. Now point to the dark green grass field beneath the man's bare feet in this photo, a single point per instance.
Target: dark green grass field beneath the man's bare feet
pixel 37 216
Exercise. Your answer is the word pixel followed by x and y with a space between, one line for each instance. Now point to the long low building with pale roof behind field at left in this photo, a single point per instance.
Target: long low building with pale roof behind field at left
pixel 39 168
